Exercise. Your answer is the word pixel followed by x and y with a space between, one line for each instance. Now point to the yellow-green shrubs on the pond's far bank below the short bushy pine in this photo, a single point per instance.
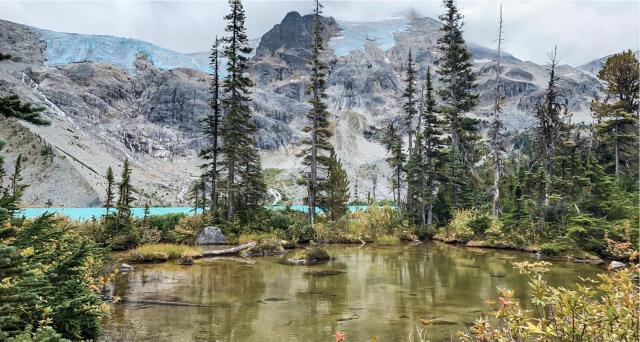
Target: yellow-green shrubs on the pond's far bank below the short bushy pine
pixel 365 226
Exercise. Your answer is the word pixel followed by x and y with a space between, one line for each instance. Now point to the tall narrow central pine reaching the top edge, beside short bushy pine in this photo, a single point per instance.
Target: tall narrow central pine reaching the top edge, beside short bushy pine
pixel 318 147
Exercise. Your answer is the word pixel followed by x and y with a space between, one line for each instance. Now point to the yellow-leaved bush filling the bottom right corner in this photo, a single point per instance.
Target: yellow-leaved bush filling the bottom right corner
pixel 601 310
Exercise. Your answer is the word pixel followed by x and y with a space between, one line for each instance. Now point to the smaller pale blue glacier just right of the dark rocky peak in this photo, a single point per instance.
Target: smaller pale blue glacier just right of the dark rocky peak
pixel 354 35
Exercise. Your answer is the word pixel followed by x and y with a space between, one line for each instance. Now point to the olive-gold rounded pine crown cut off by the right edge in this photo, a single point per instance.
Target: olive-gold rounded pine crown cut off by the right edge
pixel 617 114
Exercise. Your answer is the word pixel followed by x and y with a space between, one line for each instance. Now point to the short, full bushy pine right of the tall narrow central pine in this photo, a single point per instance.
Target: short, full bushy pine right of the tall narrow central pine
pixel 335 198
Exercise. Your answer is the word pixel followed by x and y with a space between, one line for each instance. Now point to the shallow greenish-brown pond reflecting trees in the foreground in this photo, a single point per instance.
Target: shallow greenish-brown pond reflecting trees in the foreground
pixel 376 291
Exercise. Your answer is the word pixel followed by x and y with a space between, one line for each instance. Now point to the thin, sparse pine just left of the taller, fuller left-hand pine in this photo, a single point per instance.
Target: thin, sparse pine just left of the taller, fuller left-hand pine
pixel 211 152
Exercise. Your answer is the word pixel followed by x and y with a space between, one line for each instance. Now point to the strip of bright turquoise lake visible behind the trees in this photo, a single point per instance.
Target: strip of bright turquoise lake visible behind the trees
pixel 89 213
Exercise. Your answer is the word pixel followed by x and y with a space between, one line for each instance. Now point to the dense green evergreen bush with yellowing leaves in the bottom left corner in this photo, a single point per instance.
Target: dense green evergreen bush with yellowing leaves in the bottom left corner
pixel 50 282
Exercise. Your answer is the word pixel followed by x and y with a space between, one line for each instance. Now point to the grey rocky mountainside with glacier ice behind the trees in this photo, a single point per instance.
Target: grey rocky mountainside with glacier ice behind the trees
pixel 145 103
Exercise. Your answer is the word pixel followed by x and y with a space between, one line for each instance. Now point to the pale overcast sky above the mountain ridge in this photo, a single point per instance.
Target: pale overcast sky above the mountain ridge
pixel 583 30
